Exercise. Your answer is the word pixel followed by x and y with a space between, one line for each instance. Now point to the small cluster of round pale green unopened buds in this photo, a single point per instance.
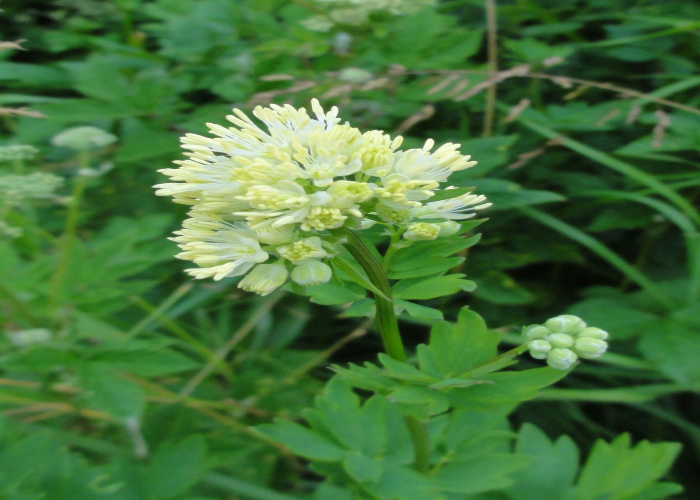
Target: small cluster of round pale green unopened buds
pixel 564 339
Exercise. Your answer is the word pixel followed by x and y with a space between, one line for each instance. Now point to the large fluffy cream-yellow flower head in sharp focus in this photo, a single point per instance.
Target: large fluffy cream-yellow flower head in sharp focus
pixel 264 199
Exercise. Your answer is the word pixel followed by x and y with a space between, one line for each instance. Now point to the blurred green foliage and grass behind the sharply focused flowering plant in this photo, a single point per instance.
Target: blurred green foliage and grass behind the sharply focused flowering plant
pixel 120 378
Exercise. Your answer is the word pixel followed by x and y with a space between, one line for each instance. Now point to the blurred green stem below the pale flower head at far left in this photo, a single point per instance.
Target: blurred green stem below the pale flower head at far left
pixel 69 229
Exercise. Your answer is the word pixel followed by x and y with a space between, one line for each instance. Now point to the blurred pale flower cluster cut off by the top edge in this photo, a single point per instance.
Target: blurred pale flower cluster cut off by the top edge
pixel 358 12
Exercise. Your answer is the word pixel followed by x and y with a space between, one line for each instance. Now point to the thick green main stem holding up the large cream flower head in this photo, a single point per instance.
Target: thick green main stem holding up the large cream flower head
pixel 388 327
